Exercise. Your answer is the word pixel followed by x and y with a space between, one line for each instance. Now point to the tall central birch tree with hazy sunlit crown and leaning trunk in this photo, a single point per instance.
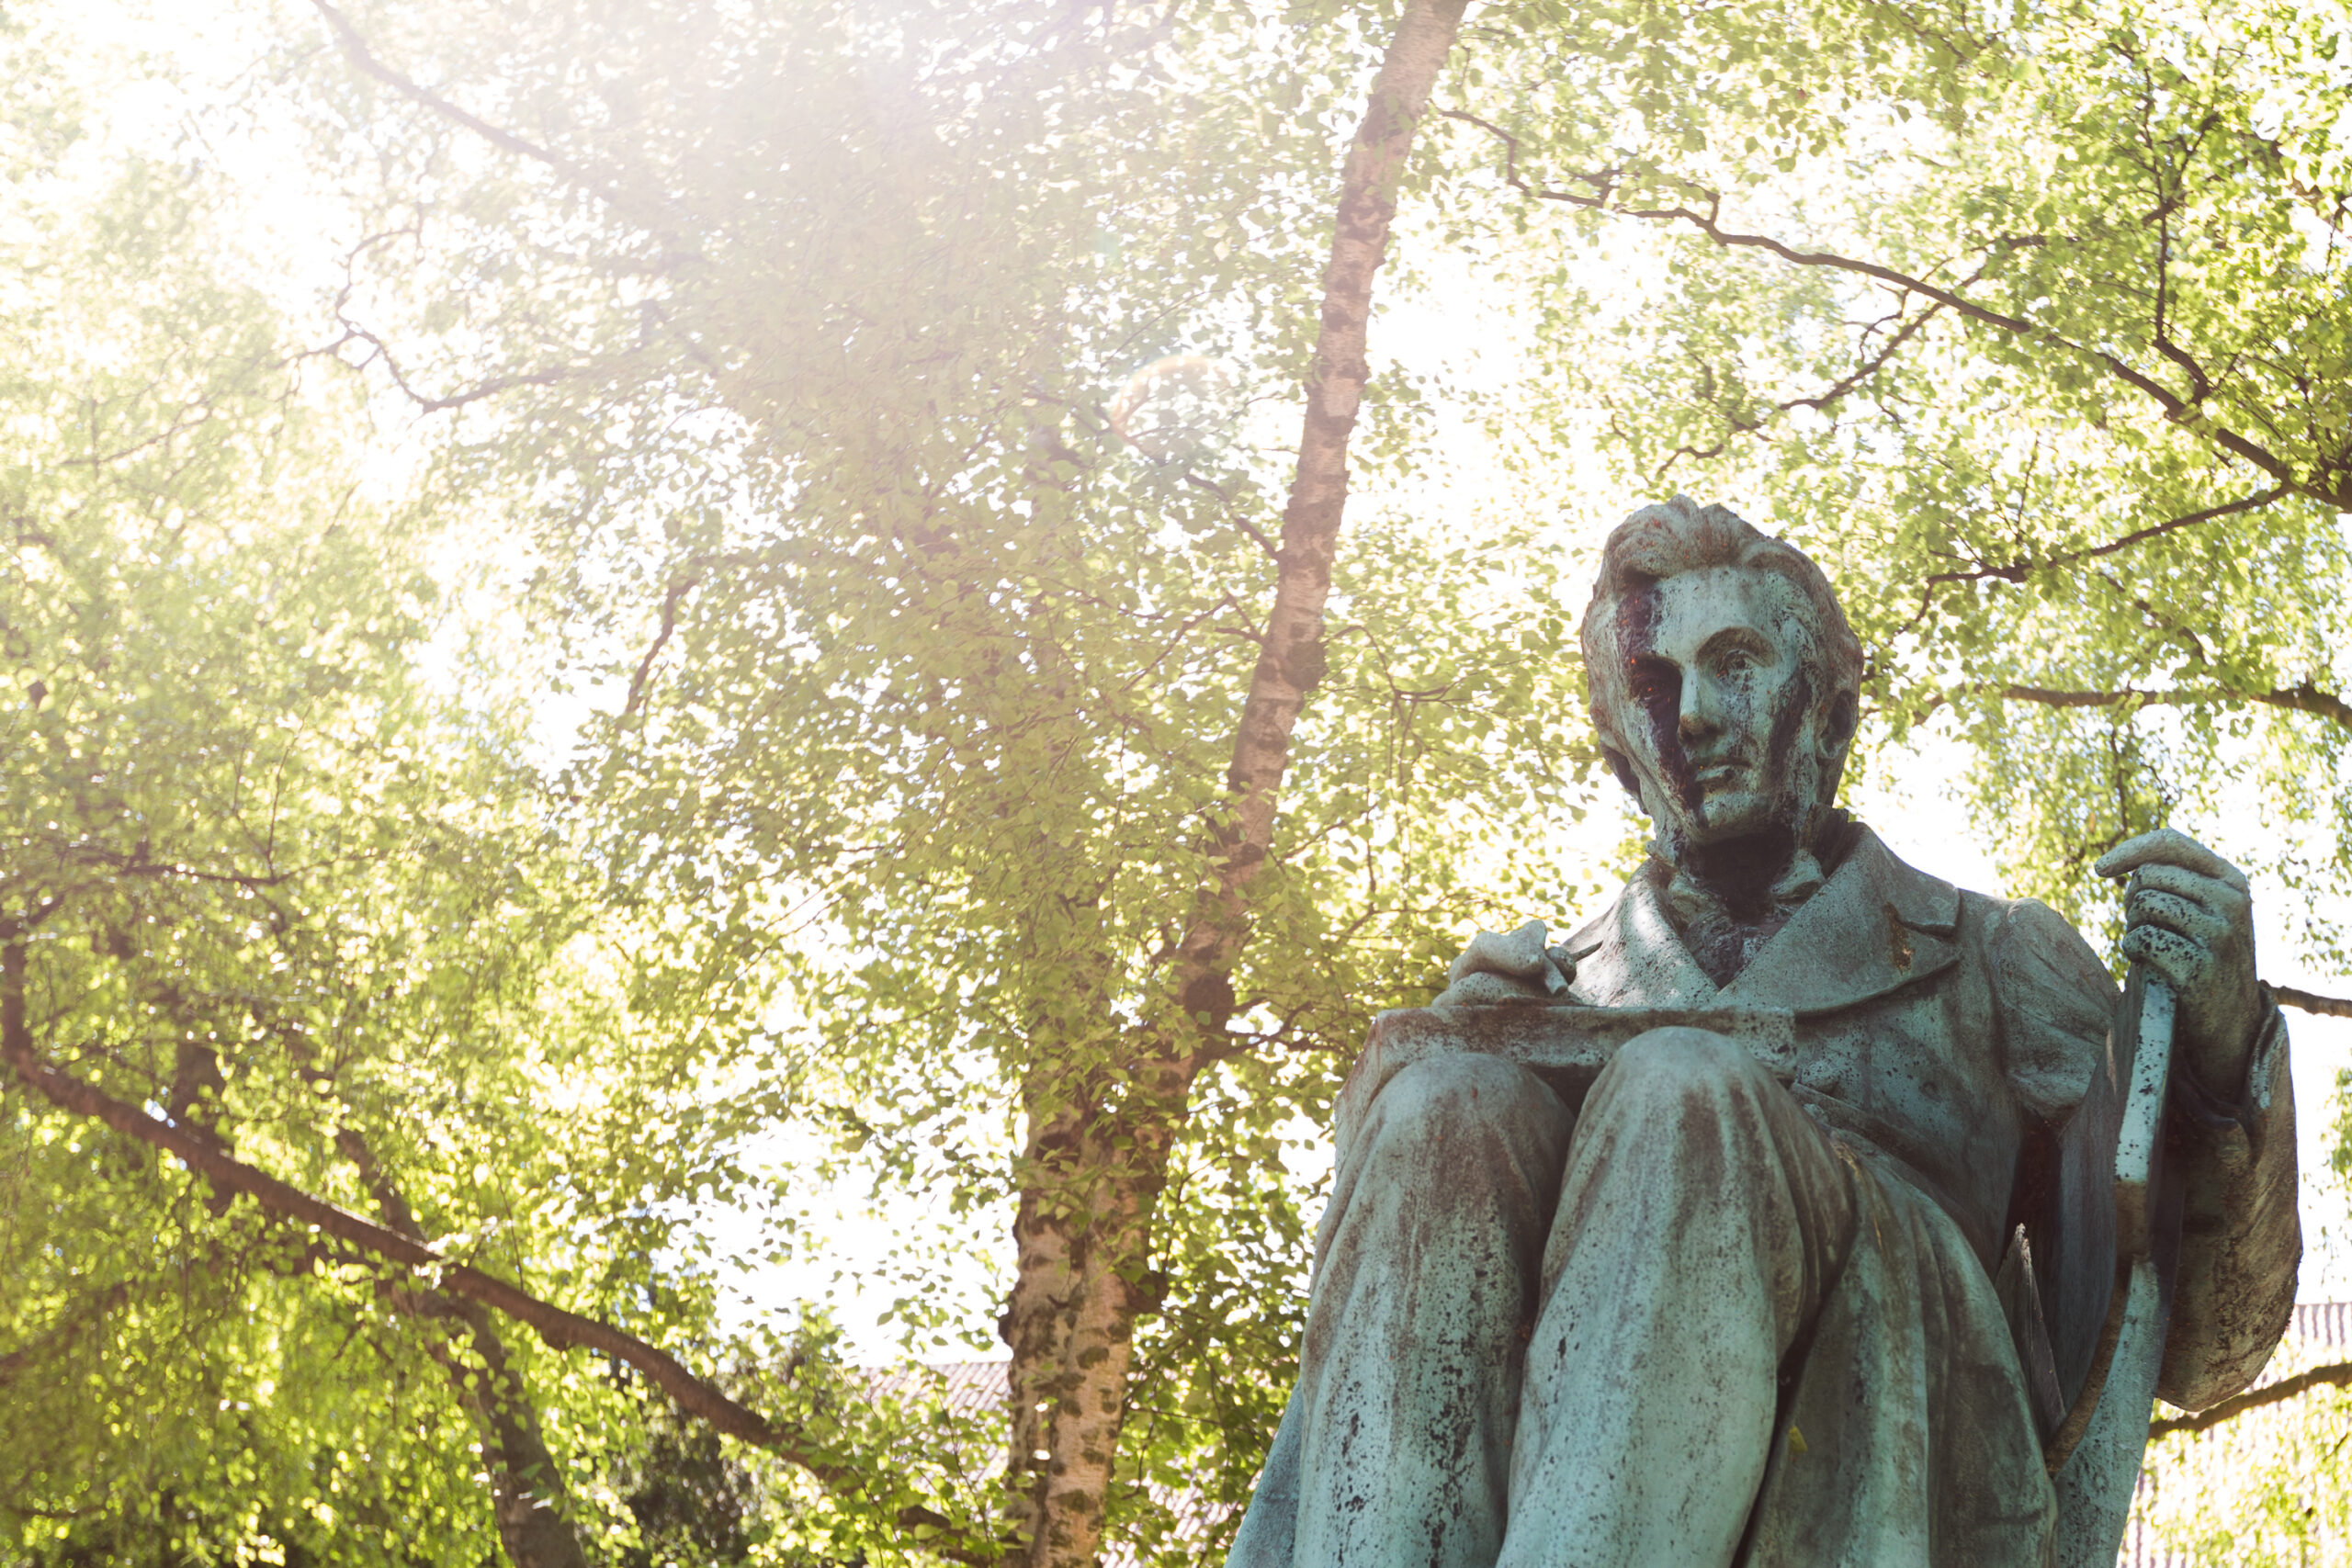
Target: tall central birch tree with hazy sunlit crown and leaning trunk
pixel 1008 695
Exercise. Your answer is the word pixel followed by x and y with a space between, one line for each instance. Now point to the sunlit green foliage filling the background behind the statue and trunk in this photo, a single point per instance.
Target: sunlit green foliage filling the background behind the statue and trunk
pixel 796 356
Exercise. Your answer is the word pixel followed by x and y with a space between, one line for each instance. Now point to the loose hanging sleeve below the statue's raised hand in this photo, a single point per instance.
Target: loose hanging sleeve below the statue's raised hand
pixel 2240 1238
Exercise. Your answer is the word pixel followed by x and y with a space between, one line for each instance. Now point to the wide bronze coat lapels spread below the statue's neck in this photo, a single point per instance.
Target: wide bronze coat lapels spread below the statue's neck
pixel 1873 927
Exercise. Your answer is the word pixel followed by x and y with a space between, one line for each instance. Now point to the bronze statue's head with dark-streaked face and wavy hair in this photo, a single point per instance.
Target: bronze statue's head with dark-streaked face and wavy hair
pixel 1723 676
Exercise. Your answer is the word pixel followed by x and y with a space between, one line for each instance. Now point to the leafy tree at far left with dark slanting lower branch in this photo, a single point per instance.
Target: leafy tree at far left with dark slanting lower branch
pixel 272 899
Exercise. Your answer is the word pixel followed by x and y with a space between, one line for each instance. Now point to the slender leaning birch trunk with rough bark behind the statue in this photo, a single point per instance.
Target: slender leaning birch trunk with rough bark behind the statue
pixel 1097 1155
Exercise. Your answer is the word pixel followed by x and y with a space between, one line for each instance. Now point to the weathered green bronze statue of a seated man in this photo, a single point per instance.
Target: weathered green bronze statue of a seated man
pixel 1728 1315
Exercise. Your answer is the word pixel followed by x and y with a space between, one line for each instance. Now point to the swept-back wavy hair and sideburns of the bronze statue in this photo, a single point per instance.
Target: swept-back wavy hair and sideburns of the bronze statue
pixel 1673 537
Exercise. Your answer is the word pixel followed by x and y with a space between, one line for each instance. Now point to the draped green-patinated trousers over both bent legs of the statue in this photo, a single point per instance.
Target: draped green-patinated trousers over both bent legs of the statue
pixel 1688 1327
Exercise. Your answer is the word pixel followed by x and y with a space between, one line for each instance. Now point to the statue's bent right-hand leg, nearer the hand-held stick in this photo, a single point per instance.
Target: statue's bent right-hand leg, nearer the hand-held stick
pixel 1702 1224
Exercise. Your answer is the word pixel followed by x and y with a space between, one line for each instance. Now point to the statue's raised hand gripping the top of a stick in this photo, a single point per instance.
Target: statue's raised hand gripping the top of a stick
pixel 2189 918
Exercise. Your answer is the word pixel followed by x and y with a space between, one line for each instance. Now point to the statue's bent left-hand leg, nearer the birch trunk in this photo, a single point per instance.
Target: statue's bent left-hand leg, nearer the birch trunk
pixel 1424 1299
